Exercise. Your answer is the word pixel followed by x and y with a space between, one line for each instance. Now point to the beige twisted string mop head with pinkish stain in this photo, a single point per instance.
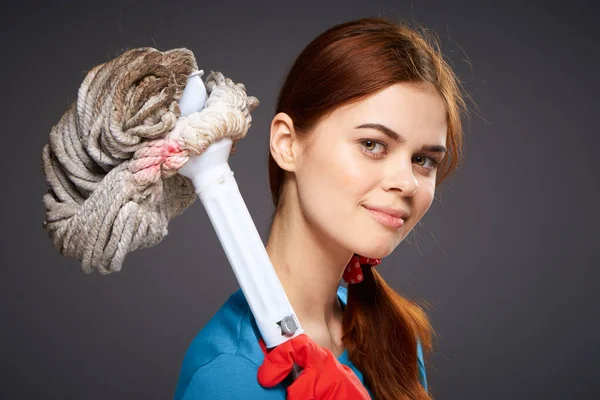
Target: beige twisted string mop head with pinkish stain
pixel 111 162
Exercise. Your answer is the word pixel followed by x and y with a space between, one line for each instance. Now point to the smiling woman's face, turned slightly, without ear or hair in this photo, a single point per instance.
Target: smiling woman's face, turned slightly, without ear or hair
pixel 348 168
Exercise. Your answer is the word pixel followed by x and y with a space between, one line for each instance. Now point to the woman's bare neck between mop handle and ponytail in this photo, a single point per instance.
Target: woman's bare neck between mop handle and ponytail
pixel 309 270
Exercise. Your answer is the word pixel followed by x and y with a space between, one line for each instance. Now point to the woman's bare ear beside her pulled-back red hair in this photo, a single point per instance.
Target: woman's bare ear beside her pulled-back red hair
pixel 284 142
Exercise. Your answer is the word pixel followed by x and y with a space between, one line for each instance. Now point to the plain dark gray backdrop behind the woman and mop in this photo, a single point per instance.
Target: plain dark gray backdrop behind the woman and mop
pixel 505 256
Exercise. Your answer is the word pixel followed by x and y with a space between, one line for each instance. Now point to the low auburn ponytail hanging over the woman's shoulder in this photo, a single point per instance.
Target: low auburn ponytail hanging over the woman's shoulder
pixel 381 329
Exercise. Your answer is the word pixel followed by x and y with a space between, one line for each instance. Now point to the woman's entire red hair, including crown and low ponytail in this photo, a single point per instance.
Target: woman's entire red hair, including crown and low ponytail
pixel 347 63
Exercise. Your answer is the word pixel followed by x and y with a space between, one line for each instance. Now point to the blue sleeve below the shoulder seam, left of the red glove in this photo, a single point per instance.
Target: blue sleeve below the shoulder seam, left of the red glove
pixel 229 377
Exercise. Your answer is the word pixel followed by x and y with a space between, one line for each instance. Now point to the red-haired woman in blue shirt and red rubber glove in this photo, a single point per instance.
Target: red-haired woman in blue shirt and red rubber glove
pixel 367 125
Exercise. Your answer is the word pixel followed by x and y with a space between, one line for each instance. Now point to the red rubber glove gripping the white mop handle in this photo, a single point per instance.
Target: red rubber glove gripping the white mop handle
pixel 323 377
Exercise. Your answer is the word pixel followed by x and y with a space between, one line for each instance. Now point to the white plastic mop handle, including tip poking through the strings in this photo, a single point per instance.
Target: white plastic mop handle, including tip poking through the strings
pixel 217 189
